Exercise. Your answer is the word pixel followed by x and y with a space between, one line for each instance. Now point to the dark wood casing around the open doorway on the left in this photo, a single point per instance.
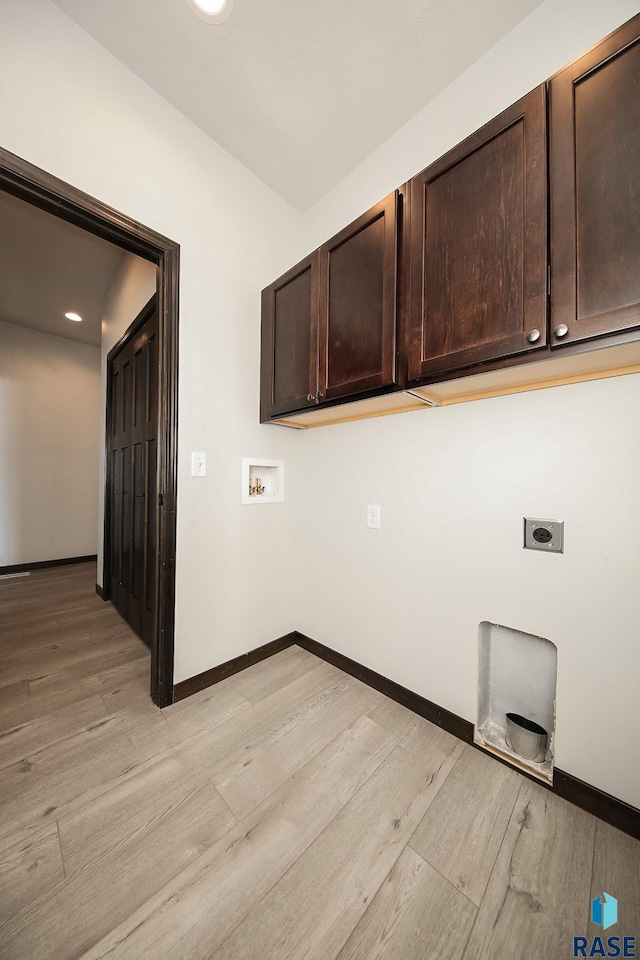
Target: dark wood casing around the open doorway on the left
pixel 36 186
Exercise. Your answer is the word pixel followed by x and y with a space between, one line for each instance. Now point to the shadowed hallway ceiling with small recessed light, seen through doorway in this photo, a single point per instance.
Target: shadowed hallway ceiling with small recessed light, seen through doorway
pixel 49 267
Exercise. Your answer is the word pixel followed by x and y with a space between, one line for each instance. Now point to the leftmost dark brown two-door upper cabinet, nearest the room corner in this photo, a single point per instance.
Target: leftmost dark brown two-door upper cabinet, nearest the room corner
pixel 329 324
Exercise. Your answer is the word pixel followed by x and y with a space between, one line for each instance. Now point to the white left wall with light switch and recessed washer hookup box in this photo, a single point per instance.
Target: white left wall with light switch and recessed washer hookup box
pixel 72 109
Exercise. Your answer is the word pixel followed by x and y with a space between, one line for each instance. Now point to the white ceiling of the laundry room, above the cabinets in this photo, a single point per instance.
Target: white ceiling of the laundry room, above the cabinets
pixel 300 91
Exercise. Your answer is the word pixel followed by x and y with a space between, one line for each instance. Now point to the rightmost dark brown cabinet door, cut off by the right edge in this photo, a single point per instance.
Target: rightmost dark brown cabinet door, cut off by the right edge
pixel 595 190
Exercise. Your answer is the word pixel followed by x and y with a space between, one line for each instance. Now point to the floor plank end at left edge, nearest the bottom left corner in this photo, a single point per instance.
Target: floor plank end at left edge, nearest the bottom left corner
pixel 30 864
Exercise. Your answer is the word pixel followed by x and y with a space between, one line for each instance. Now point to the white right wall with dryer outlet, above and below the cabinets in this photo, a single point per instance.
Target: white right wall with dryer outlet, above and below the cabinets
pixel 454 483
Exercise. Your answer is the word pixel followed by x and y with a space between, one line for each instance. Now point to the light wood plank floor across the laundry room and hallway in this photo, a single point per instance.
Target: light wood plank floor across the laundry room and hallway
pixel 289 812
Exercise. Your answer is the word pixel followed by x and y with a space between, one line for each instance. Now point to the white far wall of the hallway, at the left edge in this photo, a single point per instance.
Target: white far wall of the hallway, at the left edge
pixel 49 446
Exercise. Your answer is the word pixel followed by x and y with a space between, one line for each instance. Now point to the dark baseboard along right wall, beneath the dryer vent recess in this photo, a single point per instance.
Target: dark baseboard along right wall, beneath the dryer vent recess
pixel 616 812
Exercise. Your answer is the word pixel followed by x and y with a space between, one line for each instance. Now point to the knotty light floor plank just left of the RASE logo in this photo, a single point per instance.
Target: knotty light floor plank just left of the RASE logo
pixel 537 899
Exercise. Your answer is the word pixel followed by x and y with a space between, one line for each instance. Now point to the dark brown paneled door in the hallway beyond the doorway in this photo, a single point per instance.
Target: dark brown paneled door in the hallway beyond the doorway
pixel 131 483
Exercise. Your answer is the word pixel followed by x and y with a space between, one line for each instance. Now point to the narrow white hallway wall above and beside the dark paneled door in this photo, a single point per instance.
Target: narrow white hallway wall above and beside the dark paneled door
pixel 132 287
